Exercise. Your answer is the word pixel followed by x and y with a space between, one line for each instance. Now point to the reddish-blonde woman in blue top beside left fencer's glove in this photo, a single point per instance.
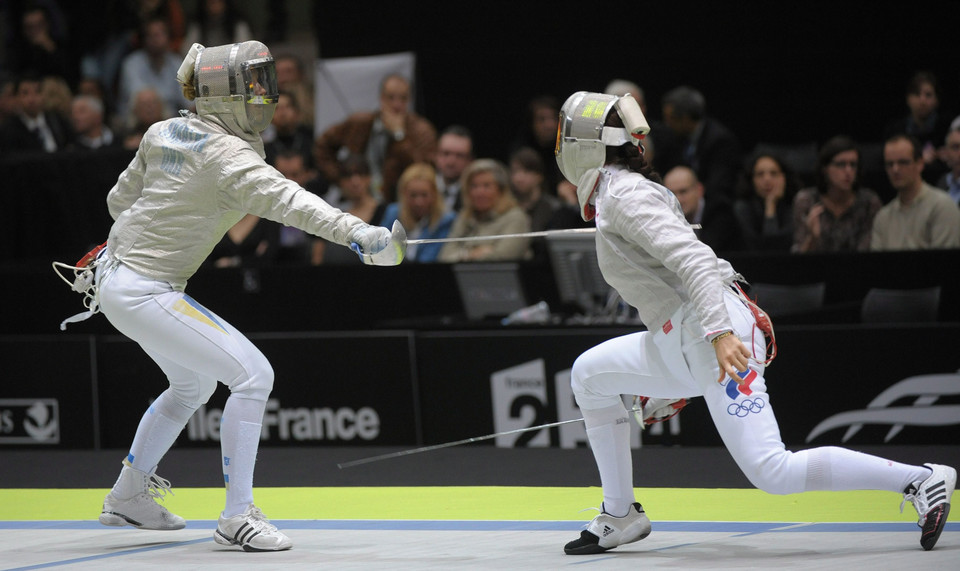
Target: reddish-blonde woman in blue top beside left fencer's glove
pixel 421 210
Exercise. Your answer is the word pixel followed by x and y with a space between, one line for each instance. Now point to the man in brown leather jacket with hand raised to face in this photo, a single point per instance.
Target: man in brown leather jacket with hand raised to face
pixel 391 138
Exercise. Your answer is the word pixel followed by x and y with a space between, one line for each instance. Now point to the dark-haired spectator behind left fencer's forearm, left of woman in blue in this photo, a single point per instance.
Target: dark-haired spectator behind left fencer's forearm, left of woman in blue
pixel 355 183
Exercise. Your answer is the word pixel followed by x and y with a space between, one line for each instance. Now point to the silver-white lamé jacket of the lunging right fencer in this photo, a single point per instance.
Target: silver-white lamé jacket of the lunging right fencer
pixel 649 253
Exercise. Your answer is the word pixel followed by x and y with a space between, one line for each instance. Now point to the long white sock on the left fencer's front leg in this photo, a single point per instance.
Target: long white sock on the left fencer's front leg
pixel 239 441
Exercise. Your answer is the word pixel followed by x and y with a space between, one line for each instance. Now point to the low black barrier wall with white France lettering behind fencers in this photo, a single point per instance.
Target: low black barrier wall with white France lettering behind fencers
pixel 848 385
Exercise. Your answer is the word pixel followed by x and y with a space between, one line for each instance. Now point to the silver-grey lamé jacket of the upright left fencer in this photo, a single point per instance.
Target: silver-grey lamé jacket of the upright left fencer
pixel 190 181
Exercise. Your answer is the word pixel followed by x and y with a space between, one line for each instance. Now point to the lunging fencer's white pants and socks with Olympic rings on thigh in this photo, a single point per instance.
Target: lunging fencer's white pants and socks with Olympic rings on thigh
pixel 680 363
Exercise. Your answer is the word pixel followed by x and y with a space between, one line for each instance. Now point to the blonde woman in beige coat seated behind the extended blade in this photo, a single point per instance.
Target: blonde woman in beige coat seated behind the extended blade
pixel 489 209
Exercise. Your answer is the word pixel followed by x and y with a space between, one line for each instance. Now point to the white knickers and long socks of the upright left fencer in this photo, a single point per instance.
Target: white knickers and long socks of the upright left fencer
pixel 195 348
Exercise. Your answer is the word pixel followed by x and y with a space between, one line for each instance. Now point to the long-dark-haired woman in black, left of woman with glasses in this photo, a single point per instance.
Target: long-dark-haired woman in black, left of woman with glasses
pixel 764 208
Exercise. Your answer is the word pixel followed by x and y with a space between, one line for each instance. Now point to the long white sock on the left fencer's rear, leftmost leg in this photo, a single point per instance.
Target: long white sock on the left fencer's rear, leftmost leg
pixel 158 430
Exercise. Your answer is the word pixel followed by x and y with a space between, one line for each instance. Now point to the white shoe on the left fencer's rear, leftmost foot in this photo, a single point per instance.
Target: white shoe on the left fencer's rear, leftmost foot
pixel 142 510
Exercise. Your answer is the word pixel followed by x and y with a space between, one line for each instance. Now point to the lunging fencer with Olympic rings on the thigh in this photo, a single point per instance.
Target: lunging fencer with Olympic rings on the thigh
pixel 702 339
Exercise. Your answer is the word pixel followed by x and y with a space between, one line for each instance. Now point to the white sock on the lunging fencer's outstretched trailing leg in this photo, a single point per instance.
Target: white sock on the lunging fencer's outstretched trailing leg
pixel 835 468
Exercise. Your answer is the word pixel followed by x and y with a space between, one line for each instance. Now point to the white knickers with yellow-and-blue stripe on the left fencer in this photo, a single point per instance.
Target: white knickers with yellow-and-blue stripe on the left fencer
pixel 194 347
